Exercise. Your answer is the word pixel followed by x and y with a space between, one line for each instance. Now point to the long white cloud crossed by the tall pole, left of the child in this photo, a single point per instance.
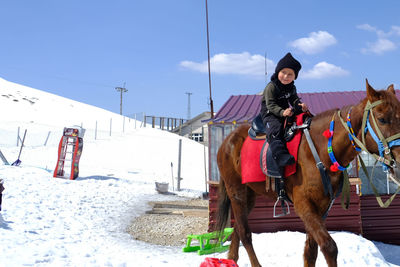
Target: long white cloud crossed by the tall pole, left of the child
pixel 242 64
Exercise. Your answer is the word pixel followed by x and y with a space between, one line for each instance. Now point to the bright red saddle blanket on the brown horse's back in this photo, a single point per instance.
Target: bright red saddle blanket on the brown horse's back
pixel 250 156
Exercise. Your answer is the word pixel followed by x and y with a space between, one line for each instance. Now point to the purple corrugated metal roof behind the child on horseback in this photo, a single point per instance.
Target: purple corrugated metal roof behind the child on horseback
pixel 243 108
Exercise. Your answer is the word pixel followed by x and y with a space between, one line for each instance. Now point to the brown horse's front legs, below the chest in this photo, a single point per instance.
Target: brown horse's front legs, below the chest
pixel 316 228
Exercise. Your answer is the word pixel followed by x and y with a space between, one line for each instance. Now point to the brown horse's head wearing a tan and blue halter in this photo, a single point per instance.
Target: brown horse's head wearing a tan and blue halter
pixel 381 126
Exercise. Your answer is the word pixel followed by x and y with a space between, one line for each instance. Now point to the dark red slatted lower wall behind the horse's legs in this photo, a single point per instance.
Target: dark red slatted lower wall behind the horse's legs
pixel 364 217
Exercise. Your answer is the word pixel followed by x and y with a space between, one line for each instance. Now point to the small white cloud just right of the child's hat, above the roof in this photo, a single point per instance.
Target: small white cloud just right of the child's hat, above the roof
pixel 324 70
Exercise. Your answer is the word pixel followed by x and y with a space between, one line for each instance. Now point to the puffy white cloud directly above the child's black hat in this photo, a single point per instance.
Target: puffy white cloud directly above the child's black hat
pixel 316 42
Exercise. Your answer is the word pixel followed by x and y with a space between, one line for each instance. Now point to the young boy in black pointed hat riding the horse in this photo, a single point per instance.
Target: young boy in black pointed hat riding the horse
pixel 277 96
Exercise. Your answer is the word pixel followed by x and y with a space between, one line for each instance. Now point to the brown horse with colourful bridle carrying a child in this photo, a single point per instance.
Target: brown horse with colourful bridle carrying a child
pixel 305 187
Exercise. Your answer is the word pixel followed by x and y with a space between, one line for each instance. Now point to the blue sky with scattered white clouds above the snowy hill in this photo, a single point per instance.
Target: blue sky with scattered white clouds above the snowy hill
pixel 84 49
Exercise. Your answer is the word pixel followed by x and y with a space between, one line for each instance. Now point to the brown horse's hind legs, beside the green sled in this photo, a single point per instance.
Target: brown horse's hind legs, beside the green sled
pixel 242 200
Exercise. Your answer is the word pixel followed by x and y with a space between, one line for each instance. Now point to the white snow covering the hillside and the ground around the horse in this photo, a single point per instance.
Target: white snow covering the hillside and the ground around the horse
pixel 57 222
